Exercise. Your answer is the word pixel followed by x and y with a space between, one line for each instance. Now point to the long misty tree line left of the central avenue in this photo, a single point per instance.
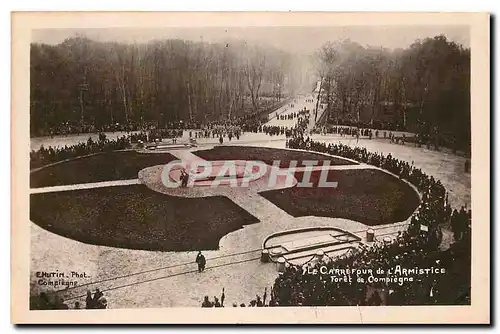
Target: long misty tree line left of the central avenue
pixel 85 82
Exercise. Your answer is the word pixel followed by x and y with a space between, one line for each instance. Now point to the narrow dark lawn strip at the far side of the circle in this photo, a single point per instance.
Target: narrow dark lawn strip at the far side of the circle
pixel 267 155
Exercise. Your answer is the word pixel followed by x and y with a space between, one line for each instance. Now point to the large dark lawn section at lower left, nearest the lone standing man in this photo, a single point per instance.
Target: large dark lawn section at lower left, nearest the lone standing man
pixel 136 217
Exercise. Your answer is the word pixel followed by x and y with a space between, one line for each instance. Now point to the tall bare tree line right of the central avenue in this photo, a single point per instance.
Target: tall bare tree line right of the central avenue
pixel 423 88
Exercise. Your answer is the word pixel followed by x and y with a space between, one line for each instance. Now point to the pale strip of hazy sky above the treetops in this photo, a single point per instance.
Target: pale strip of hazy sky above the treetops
pixel 304 40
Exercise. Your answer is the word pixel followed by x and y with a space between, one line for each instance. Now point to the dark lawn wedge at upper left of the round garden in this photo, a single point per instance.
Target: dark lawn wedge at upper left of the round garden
pixel 120 165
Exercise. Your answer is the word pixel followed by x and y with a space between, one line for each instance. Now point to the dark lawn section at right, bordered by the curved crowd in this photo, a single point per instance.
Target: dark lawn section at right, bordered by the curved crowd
pixel 369 196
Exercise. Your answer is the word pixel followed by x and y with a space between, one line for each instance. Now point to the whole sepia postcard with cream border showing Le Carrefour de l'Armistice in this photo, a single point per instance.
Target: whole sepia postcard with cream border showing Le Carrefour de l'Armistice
pixel 250 168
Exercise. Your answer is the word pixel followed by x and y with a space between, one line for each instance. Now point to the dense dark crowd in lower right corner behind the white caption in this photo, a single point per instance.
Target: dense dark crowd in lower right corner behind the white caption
pixel 448 284
